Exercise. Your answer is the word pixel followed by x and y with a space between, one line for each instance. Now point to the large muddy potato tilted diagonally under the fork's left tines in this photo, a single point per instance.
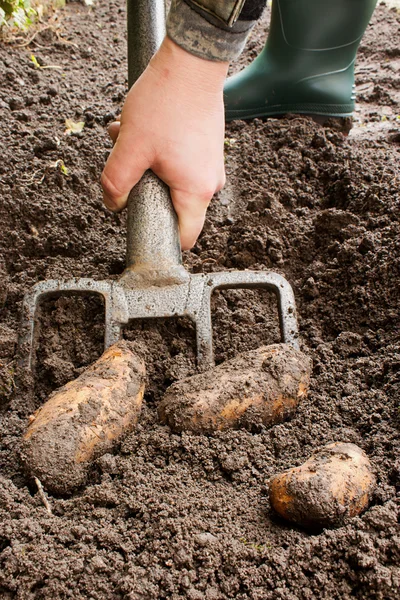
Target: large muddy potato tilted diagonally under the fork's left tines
pixel 84 419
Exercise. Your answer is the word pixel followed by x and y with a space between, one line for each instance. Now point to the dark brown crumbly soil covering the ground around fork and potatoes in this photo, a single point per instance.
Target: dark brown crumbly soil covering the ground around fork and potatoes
pixel 186 516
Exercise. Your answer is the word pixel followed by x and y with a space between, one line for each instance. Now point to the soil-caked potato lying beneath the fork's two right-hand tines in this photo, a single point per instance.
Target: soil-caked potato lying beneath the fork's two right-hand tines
pixel 263 386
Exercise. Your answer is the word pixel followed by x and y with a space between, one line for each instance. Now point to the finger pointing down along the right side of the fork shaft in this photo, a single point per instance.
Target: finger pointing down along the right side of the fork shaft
pixel 191 211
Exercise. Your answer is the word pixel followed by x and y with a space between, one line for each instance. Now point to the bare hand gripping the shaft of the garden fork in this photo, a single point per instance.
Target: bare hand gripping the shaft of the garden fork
pixel 173 123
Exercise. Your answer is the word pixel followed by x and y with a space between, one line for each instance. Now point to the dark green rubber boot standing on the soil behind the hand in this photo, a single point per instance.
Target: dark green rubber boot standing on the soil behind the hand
pixel 307 64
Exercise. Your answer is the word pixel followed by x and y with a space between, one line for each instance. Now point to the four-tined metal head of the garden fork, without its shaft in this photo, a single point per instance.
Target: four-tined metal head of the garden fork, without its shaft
pixel 191 298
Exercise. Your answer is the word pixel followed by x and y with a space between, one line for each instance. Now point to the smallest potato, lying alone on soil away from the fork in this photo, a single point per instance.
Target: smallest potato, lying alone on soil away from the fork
pixel 334 484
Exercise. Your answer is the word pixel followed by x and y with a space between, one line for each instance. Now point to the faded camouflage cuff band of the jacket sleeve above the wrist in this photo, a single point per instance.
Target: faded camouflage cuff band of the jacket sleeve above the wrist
pixel 205 35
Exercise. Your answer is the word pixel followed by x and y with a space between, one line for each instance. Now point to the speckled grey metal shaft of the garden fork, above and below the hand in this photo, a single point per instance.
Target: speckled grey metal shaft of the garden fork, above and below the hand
pixel 153 244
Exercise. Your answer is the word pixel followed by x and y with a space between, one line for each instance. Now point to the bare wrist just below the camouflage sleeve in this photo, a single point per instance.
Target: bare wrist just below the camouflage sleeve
pixel 199 74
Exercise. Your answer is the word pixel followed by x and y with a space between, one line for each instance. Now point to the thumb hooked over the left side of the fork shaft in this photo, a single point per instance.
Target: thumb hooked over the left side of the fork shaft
pixel 124 168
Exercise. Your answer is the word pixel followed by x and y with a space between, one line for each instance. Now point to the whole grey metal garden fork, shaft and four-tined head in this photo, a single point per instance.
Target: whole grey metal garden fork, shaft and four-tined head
pixel 155 284
